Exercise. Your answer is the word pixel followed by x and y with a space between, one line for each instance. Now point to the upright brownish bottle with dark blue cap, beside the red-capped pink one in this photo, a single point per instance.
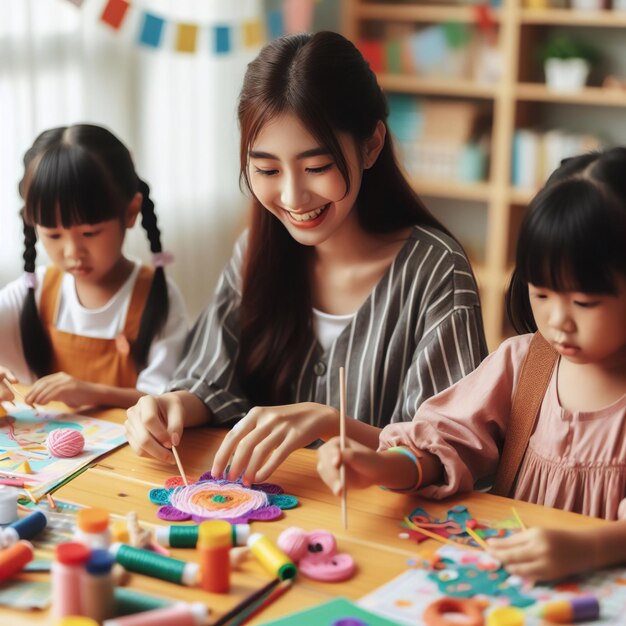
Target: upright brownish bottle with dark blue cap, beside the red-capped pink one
pixel 96 586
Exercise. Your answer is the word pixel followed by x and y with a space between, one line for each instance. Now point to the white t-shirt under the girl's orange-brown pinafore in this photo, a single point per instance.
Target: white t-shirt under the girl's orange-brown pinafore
pixel 105 322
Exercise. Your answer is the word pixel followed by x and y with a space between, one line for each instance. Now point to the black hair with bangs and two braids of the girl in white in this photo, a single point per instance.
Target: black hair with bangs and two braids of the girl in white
pixel 83 174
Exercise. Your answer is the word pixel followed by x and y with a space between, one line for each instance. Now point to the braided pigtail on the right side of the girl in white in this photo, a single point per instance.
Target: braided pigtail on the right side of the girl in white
pixel 156 310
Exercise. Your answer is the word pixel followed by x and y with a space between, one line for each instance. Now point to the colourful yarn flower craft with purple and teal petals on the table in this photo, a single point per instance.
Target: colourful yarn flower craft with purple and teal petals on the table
pixel 209 498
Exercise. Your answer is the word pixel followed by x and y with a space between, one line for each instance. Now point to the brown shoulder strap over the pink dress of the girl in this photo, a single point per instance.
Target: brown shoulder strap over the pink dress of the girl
pixel 531 388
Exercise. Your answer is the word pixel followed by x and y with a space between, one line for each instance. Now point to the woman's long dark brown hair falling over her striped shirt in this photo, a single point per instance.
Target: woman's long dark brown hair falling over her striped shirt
pixel 325 82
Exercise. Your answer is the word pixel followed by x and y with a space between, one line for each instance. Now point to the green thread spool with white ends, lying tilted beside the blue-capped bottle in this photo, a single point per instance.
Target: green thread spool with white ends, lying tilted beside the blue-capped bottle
pixel 155 565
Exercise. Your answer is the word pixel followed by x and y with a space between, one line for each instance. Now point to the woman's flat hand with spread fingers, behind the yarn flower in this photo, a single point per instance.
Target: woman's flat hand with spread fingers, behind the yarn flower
pixel 266 436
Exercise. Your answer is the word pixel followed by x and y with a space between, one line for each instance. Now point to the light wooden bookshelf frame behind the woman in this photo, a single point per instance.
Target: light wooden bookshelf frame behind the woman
pixel 518 99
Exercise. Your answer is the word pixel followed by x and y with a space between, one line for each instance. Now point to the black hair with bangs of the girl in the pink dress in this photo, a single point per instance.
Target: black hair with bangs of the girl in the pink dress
pixel 565 245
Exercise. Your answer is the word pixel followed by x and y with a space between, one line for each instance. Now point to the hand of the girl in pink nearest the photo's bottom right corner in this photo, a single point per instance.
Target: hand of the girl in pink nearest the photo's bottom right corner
pixel 545 554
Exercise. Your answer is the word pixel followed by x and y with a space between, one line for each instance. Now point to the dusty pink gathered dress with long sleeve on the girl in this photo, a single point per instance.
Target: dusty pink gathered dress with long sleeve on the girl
pixel 576 461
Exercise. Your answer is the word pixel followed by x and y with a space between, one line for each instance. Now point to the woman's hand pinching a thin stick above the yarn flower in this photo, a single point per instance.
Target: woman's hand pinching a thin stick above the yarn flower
pixel 156 423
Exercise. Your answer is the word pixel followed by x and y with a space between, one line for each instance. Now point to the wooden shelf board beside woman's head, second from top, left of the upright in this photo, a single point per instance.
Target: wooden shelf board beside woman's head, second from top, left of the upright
pixel 405 83
